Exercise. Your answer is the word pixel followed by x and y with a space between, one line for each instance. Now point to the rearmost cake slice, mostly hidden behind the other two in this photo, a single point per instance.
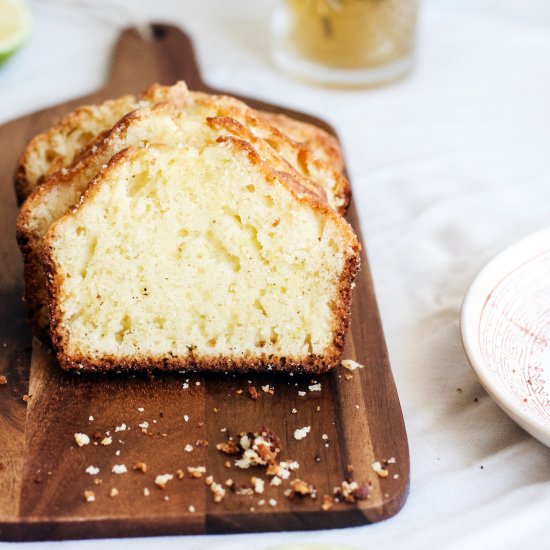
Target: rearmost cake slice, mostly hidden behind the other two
pixel 61 145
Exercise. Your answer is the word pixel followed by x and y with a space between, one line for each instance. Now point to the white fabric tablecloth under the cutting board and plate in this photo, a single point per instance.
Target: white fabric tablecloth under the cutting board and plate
pixel 448 167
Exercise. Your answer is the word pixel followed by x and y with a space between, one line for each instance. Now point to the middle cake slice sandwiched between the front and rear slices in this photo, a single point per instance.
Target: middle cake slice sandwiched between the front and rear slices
pixel 165 123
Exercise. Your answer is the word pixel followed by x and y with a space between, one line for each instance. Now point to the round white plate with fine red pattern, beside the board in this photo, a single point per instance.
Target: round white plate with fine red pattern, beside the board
pixel 505 326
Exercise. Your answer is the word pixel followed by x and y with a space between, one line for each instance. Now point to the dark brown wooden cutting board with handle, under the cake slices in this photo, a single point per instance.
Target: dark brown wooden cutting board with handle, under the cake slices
pixel 354 422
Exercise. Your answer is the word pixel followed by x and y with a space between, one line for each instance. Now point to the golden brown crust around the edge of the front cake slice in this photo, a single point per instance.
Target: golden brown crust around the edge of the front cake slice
pixel 309 363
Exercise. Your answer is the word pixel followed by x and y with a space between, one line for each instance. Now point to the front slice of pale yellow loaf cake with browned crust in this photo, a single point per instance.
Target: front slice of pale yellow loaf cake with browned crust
pixel 200 258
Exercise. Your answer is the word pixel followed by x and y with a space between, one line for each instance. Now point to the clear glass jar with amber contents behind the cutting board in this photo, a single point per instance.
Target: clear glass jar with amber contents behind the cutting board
pixel 345 42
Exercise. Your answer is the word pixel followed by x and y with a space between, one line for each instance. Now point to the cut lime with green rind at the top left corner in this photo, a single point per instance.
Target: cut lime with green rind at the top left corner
pixel 15 26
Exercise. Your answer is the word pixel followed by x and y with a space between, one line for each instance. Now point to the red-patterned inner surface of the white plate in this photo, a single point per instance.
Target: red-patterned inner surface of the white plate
pixel 514 334
